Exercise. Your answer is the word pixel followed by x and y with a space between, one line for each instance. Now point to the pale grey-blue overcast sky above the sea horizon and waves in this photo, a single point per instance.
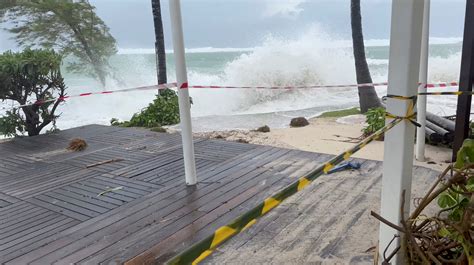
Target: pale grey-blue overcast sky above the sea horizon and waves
pixel 244 23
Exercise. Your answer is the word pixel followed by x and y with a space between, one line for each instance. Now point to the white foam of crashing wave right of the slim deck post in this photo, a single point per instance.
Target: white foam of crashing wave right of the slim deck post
pixel 307 60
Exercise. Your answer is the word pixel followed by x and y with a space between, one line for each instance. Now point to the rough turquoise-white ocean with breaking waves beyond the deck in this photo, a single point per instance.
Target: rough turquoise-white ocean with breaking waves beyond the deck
pixel 310 60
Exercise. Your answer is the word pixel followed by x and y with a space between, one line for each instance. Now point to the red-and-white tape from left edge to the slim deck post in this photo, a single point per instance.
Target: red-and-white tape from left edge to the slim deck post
pixel 143 88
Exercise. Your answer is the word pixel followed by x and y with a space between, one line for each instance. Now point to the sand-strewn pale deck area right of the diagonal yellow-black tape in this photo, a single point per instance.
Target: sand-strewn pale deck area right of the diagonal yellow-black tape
pixel 327 223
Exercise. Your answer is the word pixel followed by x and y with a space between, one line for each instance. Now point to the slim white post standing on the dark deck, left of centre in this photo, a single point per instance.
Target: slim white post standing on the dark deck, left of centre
pixel 183 92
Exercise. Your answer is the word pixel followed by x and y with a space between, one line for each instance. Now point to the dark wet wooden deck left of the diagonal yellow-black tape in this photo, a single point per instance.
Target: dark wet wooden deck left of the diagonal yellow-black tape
pixel 51 211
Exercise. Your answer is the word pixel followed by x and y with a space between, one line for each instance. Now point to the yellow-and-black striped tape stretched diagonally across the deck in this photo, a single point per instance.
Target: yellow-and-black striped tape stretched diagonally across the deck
pixel 199 251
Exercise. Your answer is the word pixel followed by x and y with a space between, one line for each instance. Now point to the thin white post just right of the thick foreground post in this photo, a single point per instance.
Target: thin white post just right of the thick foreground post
pixel 425 44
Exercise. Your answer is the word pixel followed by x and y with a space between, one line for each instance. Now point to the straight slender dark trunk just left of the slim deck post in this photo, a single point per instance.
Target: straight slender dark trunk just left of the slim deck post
pixel 159 42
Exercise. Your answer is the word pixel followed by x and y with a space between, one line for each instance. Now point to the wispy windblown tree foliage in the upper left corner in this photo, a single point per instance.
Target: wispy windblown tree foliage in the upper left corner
pixel 70 27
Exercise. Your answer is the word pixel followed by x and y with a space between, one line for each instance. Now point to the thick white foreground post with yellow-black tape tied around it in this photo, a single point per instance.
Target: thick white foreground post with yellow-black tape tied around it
pixel 404 69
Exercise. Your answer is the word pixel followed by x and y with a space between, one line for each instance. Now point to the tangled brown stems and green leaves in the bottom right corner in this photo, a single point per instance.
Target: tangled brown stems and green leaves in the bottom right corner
pixel 439 230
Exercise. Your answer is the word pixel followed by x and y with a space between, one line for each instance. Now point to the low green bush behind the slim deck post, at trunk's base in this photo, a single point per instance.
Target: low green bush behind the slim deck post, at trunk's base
pixel 164 110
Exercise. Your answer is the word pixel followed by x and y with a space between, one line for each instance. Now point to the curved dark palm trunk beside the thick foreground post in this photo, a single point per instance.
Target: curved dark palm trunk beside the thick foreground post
pixel 367 96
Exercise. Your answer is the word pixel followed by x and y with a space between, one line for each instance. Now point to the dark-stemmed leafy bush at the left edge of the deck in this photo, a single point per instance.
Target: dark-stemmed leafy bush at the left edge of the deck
pixel 28 77
